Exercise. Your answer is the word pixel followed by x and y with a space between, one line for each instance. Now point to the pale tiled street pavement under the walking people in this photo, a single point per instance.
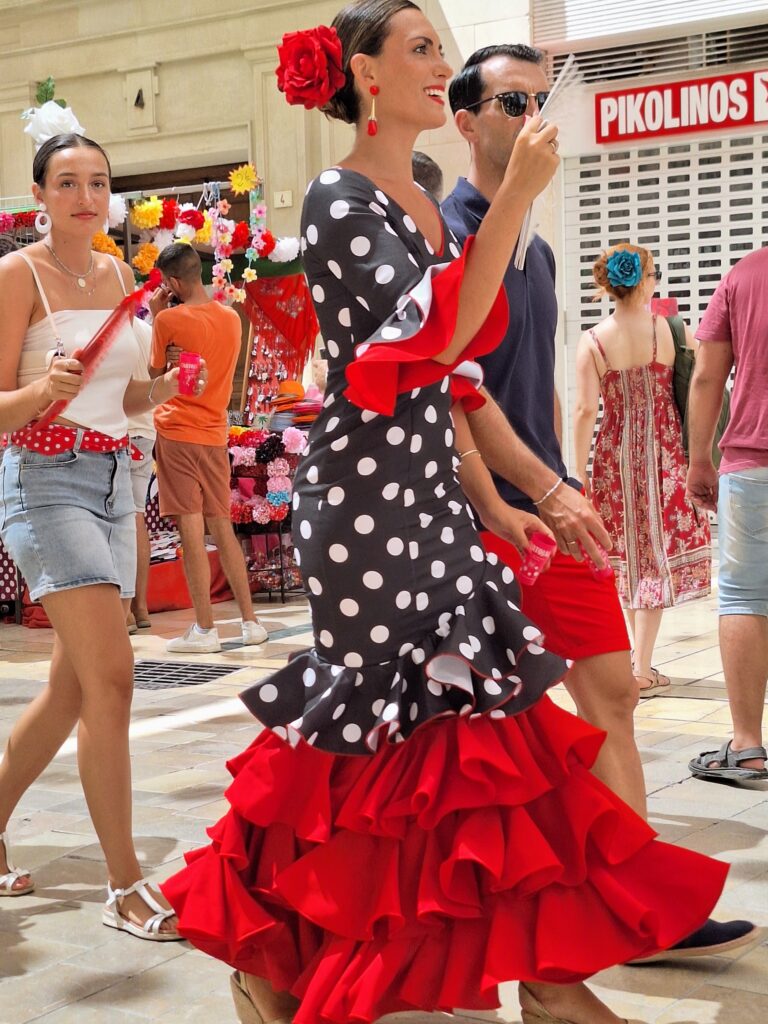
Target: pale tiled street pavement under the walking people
pixel 61 966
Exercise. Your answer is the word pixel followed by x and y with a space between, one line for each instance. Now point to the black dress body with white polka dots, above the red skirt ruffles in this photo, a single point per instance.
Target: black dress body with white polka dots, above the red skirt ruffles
pixel 412 619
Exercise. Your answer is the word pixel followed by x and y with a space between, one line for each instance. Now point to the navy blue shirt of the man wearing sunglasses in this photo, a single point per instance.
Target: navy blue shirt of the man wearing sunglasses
pixel 521 373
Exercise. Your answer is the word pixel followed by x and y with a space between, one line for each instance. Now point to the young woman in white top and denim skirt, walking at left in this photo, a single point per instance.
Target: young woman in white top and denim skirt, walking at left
pixel 67 514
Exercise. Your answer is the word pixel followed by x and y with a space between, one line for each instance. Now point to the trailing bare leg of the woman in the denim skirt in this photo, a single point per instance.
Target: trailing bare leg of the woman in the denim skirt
pixel 36 738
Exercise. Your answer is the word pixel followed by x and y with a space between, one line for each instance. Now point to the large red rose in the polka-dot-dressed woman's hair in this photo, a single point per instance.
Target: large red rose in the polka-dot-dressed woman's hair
pixel 310 71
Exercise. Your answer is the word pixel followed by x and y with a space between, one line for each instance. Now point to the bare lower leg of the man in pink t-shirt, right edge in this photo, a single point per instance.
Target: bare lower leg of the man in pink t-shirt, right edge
pixel 744 646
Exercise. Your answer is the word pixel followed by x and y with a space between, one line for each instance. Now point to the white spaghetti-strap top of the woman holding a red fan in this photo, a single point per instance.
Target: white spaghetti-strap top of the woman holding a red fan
pixel 100 406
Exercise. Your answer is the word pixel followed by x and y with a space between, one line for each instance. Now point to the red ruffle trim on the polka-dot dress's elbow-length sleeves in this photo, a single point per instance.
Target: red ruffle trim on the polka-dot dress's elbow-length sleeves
pixel 382 370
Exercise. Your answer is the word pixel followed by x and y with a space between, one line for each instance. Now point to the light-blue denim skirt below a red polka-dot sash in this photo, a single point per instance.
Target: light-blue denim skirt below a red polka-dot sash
pixel 68 521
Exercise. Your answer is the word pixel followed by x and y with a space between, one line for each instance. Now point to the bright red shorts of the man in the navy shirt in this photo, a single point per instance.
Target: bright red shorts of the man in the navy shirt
pixel 580 617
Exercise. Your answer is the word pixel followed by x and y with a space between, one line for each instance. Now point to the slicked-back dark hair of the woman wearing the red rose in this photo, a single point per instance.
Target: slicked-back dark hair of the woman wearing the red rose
pixel 363 28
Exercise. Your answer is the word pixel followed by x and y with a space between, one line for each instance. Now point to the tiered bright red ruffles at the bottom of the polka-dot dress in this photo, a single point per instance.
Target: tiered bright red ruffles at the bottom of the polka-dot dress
pixel 423 877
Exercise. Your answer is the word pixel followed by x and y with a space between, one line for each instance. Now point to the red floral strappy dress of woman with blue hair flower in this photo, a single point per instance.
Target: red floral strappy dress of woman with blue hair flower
pixel 661 551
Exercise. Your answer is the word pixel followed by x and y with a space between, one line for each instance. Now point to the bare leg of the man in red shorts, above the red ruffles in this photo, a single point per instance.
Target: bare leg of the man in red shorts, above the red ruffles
pixel 606 695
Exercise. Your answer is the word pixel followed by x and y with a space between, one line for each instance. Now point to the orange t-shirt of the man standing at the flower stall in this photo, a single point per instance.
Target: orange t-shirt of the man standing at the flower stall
pixel 215 331
